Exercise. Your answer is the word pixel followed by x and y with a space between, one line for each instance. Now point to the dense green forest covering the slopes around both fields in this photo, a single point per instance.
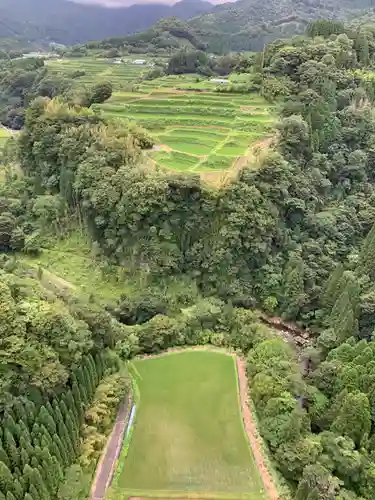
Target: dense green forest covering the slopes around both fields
pixel 294 237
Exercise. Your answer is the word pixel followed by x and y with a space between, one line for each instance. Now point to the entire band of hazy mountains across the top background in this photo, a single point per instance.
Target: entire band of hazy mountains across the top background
pixel 243 25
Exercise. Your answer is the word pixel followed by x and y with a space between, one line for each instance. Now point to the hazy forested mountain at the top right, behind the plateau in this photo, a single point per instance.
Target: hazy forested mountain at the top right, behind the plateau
pixel 250 24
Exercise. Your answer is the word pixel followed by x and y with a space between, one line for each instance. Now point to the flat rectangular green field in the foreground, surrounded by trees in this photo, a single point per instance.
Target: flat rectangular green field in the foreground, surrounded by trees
pixel 188 435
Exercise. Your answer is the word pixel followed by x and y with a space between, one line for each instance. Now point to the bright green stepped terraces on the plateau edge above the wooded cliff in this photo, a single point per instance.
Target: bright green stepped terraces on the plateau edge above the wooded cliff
pixel 194 131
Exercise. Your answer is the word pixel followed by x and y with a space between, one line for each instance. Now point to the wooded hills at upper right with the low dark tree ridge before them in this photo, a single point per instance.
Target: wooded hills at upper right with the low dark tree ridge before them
pixel 240 26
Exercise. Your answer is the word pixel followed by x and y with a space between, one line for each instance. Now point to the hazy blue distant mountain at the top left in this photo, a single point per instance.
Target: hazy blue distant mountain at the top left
pixel 68 22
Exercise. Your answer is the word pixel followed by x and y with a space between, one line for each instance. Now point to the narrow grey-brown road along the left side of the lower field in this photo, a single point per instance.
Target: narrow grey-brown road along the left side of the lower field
pixel 108 462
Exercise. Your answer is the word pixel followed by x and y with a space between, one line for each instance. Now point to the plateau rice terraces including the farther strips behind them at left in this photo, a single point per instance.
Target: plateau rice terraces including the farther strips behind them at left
pixel 195 128
